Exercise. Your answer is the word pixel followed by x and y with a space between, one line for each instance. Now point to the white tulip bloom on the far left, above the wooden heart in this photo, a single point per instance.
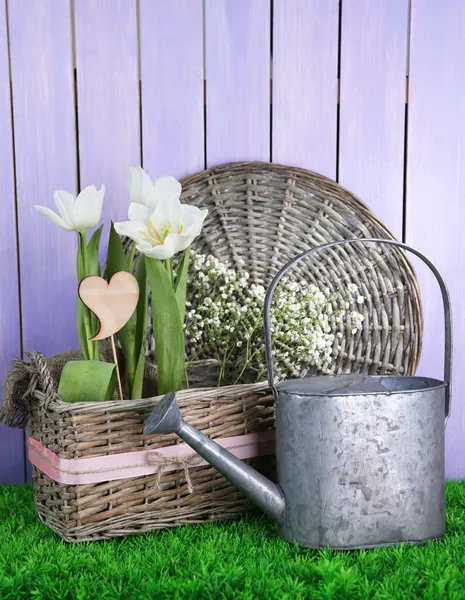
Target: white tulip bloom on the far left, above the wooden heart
pixel 76 213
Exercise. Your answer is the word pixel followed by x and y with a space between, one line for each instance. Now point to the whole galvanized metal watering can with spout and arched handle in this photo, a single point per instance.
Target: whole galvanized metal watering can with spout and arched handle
pixel 360 459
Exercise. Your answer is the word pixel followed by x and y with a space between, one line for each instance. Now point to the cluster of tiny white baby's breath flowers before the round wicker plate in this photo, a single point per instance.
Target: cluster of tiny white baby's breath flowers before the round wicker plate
pixel 225 320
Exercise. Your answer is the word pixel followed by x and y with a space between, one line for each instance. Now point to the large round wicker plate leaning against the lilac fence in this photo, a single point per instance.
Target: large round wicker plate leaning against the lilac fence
pixel 264 214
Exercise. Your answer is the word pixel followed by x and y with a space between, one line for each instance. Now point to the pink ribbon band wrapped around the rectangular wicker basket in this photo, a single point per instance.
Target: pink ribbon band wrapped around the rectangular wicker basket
pixel 80 471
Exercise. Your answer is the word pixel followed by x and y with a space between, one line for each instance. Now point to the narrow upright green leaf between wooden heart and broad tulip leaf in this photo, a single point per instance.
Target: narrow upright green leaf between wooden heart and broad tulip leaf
pixel 140 341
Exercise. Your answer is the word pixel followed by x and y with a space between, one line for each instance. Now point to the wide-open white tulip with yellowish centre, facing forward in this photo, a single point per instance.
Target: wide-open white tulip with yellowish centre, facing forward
pixel 162 232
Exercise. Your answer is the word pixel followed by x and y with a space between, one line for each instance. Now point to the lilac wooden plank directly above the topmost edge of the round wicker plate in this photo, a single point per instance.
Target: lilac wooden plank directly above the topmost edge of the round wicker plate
pixel 238 80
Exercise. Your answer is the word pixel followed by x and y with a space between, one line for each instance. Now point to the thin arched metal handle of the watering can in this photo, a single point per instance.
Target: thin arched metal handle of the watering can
pixel 442 285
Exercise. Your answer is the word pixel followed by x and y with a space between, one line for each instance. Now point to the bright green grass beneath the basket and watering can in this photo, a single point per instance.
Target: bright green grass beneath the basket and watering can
pixel 220 560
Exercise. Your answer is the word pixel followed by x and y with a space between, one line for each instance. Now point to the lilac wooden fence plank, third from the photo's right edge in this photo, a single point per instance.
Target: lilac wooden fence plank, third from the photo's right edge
pixel 305 57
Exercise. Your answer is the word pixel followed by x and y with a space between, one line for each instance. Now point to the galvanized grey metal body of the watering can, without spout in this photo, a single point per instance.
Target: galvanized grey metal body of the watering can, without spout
pixel 362 470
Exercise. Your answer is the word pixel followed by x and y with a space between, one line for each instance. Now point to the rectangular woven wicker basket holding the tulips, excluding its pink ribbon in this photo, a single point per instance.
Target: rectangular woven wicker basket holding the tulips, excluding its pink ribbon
pixel 127 506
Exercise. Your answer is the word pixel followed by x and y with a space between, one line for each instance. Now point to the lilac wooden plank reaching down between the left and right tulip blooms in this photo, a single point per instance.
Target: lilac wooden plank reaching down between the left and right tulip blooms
pixel 108 99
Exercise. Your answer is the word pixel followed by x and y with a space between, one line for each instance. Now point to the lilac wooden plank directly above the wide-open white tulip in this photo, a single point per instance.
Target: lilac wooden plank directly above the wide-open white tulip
pixel 171 54
